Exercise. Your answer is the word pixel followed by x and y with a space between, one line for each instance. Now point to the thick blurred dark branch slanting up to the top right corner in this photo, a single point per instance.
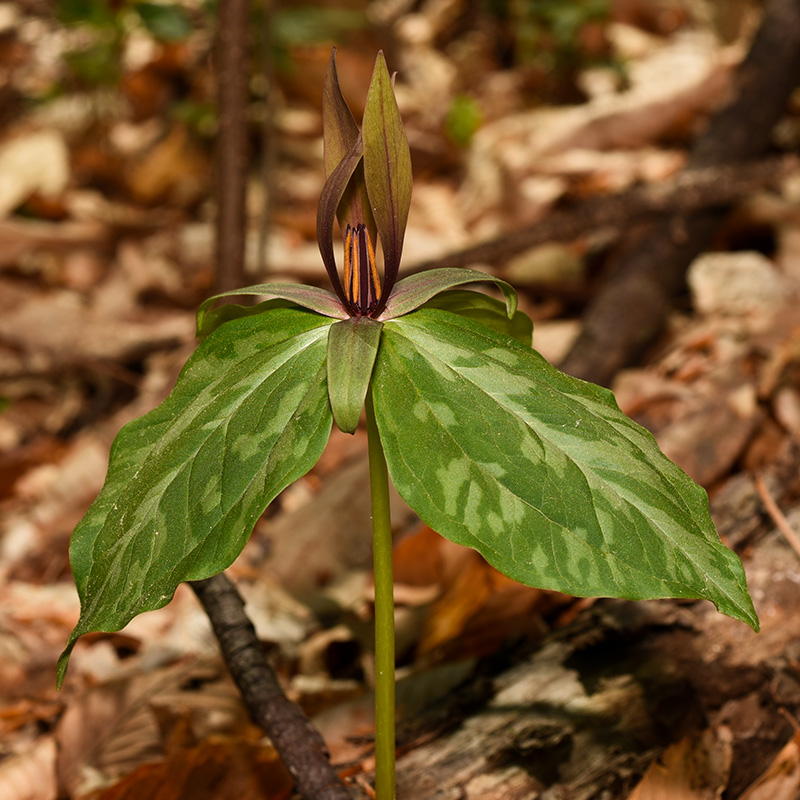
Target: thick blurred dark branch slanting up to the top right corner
pixel 632 308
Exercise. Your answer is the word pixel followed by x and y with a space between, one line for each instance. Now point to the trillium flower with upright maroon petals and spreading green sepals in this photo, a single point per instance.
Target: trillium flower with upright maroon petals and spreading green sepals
pixel 368 189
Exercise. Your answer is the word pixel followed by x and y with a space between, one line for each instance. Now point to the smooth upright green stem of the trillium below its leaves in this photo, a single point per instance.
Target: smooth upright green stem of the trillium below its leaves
pixel 384 611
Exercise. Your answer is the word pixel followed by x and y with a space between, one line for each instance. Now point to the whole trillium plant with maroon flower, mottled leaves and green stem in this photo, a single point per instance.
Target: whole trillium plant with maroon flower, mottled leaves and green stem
pixel 491 446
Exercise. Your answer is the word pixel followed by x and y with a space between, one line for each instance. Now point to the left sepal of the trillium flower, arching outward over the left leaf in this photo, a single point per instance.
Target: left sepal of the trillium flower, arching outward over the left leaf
pixel 310 297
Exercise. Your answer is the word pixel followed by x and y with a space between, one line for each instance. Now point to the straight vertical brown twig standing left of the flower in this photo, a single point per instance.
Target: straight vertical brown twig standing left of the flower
pixel 233 70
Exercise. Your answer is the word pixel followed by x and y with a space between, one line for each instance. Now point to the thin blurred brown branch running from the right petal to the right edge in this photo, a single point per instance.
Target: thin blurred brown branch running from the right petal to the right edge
pixel 702 188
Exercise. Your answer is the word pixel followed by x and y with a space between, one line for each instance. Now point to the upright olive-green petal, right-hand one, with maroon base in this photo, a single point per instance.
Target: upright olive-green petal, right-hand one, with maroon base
pixel 387 168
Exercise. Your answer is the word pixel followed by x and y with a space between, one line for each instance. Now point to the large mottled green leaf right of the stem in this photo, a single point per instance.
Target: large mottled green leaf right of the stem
pixel 540 472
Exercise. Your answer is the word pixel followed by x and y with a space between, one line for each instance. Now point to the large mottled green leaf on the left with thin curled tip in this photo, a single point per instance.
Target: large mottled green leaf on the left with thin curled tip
pixel 187 482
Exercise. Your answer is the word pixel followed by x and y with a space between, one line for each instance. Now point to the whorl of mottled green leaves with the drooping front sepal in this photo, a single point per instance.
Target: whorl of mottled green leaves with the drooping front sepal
pixel 488 443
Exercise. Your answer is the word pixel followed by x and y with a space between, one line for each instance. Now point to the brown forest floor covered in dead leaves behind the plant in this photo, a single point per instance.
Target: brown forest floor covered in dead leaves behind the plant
pixel 106 249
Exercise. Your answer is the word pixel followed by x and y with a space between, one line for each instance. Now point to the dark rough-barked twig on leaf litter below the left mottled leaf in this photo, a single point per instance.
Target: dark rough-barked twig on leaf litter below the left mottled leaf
pixel 297 741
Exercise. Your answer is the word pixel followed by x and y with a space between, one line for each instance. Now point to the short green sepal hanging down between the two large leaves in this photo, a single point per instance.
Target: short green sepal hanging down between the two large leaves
pixel 352 347
